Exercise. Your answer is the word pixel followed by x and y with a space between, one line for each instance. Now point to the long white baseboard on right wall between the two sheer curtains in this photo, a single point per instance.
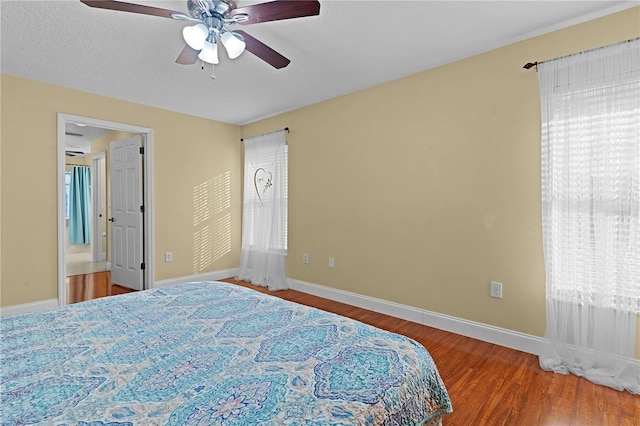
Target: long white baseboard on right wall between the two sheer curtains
pixel 487 333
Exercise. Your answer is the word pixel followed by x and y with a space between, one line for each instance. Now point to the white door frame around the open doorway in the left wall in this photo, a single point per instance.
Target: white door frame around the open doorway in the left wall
pixel 147 176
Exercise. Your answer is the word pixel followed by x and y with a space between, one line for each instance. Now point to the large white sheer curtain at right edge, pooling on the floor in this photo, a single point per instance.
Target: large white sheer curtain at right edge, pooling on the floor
pixel 591 213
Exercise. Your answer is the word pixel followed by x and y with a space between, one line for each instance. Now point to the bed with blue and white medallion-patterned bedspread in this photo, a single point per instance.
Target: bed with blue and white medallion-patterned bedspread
pixel 211 353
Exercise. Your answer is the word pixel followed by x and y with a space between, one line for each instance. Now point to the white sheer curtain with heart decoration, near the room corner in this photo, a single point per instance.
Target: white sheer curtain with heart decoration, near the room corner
pixel 264 215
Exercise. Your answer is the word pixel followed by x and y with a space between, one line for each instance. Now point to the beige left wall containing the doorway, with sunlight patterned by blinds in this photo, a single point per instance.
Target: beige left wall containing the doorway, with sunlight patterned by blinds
pixel 190 156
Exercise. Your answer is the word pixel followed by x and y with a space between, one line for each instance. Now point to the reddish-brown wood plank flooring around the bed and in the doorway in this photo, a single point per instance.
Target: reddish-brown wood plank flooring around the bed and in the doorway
pixel 487 384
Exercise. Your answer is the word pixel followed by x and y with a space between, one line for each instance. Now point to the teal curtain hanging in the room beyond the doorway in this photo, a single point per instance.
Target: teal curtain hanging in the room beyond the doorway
pixel 80 205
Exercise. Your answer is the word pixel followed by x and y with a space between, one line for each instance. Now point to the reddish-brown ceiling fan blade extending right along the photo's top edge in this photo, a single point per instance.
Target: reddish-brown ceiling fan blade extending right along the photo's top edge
pixel 276 10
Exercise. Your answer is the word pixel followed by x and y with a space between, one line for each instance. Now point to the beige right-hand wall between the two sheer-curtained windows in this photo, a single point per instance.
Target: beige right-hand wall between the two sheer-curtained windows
pixel 427 188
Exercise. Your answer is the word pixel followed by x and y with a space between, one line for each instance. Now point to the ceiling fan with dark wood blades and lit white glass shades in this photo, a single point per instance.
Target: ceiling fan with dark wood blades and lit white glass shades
pixel 213 19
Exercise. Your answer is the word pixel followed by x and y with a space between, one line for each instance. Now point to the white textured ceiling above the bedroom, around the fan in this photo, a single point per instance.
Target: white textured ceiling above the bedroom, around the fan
pixel 351 45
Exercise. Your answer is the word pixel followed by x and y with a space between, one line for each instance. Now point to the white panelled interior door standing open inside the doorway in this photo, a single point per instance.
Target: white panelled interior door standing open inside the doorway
pixel 126 212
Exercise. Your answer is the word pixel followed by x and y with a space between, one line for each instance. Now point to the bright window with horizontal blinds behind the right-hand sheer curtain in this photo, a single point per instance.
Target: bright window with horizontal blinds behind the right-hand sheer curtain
pixel 591 186
